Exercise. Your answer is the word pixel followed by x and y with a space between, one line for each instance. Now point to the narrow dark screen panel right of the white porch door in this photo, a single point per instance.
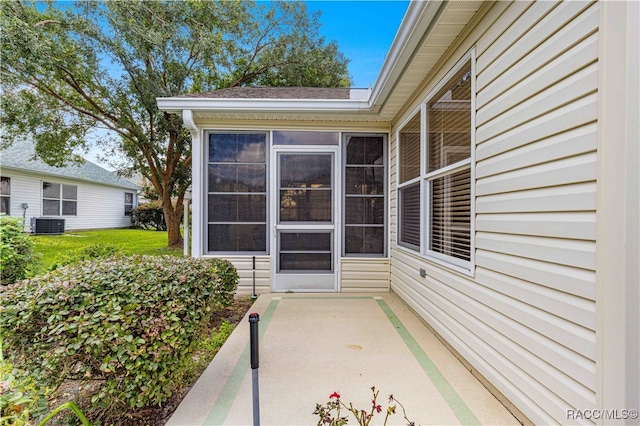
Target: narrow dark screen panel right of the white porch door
pixel 365 195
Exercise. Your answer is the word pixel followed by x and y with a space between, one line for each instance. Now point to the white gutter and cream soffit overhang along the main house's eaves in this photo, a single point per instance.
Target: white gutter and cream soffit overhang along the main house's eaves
pixel 428 29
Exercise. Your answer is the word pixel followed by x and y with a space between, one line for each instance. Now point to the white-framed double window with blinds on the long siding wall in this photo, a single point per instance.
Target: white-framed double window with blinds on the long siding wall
pixel 445 179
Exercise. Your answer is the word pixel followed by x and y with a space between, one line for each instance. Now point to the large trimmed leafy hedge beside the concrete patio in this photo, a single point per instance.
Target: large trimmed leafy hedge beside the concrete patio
pixel 125 327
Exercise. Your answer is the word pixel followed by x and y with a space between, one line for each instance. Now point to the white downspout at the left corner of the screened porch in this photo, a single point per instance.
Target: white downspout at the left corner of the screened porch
pixel 196 186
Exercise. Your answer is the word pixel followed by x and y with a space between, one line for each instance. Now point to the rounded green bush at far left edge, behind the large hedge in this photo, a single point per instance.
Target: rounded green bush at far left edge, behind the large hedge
pixel 17 257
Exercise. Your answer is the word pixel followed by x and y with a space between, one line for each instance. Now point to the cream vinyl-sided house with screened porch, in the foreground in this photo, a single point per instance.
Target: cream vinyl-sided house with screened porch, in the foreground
pixel 489 178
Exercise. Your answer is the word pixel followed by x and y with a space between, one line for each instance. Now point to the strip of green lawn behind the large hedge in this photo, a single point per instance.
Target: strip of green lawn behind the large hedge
pixel 128 241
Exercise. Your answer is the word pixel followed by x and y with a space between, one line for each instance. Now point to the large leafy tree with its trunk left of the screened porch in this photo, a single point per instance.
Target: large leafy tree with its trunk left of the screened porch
pixel 68 69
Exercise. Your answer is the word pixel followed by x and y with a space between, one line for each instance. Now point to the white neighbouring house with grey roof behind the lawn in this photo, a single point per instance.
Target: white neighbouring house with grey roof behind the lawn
pixel 85 196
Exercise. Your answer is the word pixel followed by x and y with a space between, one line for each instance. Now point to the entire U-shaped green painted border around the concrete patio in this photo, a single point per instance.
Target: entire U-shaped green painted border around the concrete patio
pixel 223 403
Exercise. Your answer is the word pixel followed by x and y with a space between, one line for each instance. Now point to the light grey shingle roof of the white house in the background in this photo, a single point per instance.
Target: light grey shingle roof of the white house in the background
pixel 19 156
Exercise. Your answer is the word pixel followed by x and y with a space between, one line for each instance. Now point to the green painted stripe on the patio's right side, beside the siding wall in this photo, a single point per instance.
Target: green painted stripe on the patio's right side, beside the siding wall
pixel 453 400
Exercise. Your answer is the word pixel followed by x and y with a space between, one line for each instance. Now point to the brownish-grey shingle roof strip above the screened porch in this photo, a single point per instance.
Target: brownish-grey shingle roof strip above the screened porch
pixel 262 92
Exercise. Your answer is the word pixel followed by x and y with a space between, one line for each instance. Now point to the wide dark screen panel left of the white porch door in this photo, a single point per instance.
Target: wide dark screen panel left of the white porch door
pixel 237 192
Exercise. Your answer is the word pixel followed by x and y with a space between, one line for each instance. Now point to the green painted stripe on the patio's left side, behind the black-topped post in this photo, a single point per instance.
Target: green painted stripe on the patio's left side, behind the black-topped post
pixel 222 406
